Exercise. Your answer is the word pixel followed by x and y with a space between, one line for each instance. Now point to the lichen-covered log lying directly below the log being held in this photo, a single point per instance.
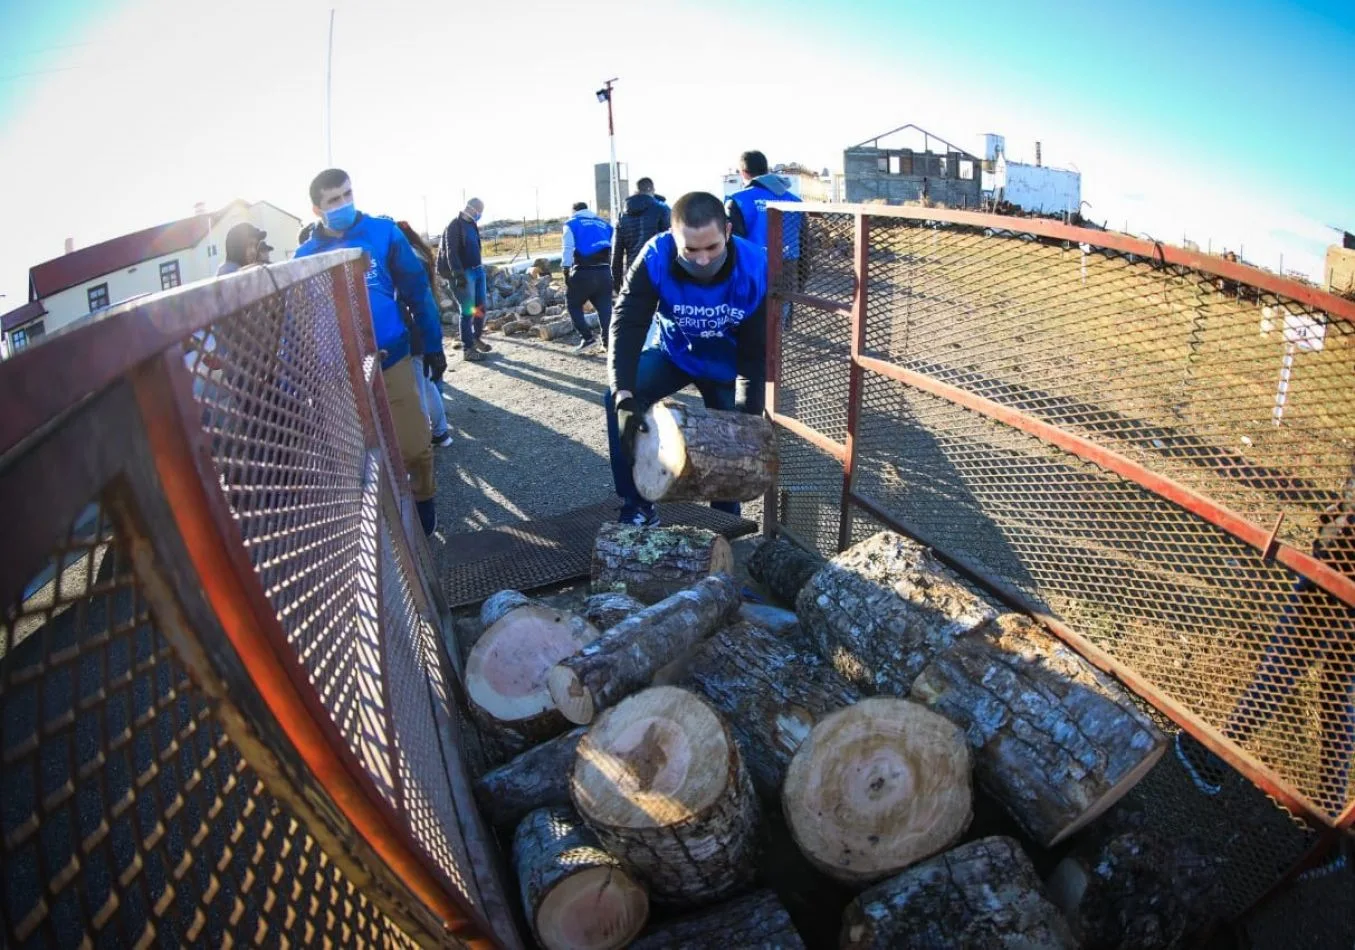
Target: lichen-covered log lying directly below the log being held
pixel 654 563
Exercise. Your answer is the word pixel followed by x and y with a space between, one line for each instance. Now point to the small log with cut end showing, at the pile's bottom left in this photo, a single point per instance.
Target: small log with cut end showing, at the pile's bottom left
pixel 577 896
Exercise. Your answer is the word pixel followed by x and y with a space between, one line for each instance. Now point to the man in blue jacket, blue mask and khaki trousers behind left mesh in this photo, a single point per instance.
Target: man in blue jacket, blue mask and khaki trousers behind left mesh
pixel 395 277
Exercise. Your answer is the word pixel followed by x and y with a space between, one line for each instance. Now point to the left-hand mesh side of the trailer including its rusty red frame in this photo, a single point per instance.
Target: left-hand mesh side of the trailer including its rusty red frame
pixel 228 707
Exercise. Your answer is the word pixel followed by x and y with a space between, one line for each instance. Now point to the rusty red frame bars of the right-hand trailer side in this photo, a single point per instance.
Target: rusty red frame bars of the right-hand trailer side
pixel 1257 536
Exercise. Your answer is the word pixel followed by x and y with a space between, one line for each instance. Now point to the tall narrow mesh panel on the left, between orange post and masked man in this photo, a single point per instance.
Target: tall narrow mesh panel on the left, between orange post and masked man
pixel 288 445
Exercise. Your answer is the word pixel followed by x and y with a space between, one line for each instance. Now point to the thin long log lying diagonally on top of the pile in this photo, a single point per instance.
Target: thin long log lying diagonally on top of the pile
pixel 628 657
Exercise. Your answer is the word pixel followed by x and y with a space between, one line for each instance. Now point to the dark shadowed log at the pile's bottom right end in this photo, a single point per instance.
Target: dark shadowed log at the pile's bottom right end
pixel 1127 887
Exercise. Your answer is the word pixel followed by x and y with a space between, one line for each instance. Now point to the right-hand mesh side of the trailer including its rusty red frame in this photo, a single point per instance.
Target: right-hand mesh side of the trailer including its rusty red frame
pixel 1151 449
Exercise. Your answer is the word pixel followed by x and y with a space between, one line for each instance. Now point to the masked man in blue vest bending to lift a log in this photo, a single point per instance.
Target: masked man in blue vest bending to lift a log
pixel 693 311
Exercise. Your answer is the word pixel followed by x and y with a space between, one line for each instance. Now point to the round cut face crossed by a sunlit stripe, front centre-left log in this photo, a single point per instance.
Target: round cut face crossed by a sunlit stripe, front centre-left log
pixel 658 758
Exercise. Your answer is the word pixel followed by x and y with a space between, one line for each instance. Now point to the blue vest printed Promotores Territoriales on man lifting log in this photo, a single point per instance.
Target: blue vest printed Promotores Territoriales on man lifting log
pixel 694 322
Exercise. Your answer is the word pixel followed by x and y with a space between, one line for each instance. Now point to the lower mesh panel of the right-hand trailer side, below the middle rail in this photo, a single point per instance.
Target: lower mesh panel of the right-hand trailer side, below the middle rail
pixel 1186 605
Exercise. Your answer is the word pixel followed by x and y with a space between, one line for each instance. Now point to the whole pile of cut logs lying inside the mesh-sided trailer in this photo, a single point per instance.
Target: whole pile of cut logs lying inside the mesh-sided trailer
pixel 661 741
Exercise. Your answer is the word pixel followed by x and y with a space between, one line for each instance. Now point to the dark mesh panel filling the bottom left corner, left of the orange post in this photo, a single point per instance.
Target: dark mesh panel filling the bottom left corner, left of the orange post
pixel 127 815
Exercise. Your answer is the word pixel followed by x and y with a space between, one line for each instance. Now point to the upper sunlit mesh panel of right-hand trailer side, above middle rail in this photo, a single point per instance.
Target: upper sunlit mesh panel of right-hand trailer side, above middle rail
pixel 1238 394
